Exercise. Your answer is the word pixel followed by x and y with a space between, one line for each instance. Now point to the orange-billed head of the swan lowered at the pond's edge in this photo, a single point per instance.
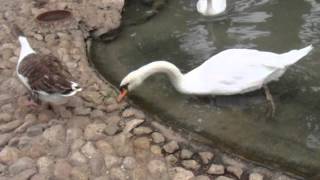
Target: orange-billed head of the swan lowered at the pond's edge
pixel 130 82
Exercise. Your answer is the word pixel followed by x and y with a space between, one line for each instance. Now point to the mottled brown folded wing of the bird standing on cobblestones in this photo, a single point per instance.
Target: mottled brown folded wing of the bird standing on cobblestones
pixel 46 73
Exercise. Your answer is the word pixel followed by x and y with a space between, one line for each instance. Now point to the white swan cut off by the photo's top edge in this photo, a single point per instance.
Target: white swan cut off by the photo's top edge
pixel 211 7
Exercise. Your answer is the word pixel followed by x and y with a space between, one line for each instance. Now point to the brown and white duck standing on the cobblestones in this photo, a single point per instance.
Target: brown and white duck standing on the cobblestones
pixel 44 75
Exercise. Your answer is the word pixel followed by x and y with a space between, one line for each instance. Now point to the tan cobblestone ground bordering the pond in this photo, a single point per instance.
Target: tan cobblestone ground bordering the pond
pixel 91 137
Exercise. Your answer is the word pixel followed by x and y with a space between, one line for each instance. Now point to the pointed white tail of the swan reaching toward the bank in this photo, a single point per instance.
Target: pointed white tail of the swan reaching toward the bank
pixel 294 56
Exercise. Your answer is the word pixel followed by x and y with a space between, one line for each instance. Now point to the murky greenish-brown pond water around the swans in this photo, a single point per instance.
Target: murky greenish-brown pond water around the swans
pixel 180 35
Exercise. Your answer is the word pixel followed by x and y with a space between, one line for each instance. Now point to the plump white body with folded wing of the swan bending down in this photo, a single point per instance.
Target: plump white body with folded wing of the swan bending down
pixel 236 71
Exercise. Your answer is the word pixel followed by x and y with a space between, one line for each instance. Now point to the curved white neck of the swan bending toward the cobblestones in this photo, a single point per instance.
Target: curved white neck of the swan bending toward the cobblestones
pixel 165 67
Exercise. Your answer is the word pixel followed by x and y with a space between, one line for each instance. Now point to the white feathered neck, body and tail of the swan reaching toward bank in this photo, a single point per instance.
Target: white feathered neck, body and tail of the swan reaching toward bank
pixel 233 71
